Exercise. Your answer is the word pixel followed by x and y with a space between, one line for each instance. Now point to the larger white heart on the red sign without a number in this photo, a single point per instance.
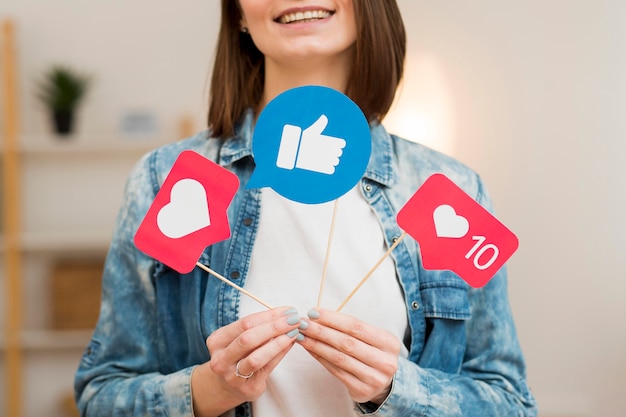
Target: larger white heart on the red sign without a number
pixel 187 212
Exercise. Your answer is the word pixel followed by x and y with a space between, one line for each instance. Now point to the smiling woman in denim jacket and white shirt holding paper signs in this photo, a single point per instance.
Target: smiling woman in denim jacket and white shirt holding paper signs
pixel 412 342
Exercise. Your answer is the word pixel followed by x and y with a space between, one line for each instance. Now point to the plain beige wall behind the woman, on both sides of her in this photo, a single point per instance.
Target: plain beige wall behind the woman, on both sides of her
pixel 530 94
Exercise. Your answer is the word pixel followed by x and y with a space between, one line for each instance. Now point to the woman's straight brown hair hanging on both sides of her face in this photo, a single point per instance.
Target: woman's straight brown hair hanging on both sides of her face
pixel 238 72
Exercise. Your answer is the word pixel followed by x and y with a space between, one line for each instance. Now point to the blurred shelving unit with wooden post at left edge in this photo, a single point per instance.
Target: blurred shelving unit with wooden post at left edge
pixel 58 197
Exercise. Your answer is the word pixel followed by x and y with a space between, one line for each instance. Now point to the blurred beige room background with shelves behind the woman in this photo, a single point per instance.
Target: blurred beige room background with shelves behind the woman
pixel 530 94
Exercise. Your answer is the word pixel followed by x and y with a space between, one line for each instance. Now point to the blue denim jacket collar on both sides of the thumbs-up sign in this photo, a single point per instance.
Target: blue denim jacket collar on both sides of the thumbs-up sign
pixel 379 169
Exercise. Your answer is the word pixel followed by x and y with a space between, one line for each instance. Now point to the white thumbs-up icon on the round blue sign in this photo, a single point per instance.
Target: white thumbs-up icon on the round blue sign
pixel 309 149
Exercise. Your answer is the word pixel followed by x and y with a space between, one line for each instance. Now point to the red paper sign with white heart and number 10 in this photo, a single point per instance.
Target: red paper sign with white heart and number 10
pixel 455 232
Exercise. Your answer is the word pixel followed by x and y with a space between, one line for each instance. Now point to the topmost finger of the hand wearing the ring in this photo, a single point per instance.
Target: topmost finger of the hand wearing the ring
pixel 224 336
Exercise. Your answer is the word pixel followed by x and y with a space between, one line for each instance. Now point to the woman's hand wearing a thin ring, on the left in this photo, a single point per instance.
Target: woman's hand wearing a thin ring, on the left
pixel 243 355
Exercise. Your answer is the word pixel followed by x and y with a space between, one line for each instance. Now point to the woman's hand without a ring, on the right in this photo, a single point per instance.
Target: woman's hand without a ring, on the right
pixel 363 357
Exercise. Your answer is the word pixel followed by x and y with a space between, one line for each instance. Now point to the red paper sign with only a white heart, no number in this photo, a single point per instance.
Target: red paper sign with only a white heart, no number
pixel 188 213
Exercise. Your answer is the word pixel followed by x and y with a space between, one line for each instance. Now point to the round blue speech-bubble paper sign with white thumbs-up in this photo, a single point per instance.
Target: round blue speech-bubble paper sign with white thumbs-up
pixel 311 144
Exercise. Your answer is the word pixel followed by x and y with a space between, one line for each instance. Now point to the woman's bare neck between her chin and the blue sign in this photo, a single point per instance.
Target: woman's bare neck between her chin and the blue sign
pixel 280 78
